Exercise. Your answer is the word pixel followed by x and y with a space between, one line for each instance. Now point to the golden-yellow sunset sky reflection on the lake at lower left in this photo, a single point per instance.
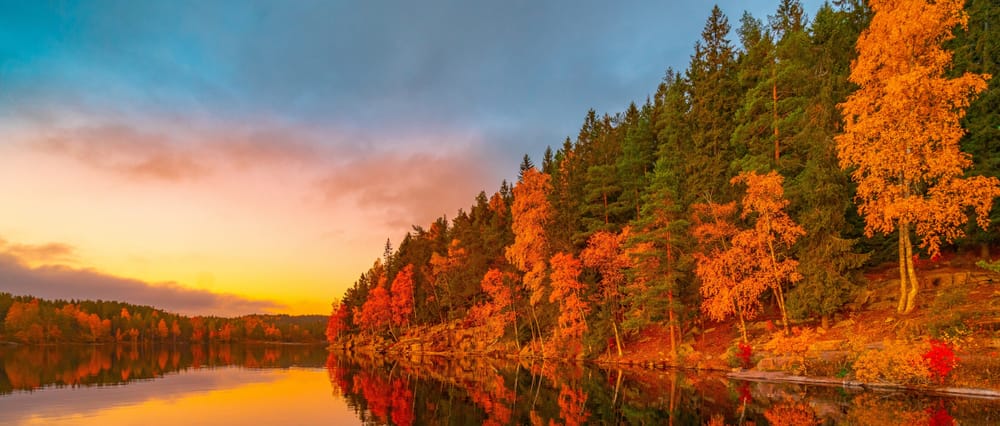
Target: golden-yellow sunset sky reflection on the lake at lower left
pixel 230 396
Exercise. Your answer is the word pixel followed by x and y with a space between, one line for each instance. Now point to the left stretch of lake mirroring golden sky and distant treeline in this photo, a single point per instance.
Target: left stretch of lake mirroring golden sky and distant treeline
pixel 94 385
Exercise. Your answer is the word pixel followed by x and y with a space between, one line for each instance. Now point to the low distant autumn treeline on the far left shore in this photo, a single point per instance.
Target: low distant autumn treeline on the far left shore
pixel 27 319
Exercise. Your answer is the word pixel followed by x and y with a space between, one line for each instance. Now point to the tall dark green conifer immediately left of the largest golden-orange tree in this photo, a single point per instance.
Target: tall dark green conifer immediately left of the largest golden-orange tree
pixel 820 194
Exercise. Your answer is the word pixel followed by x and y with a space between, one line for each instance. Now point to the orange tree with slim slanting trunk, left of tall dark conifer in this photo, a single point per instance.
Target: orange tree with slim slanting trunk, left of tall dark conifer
pixel 766 246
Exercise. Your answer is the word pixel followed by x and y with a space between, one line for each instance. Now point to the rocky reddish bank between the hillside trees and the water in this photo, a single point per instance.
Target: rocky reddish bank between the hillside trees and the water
pixel 869 326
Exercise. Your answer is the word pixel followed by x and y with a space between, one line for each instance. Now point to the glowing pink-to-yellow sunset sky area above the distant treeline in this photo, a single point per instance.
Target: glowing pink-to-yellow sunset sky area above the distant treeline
pixel 277 225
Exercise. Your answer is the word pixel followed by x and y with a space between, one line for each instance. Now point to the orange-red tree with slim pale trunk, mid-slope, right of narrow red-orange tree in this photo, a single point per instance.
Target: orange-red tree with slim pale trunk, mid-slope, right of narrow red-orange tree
pixel 605 252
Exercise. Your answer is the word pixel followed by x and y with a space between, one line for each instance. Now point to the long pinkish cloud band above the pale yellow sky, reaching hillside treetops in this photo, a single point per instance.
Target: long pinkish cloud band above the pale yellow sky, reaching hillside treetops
pixel 401 177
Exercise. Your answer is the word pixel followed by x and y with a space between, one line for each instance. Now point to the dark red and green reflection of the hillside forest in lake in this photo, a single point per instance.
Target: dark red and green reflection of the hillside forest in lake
pixel 497 392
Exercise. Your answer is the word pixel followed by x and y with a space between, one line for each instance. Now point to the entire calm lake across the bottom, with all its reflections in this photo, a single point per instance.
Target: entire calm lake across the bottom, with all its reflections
pixel 288 384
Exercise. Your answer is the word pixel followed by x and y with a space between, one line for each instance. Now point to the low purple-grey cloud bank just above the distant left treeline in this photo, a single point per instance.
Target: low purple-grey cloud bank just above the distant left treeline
pixel 64 282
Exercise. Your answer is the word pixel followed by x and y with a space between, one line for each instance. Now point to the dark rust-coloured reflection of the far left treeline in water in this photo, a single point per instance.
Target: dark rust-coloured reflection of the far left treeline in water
pixel 32 367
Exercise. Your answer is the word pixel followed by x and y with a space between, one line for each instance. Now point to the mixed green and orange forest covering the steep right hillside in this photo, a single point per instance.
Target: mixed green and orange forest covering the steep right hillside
pixel 793 153
